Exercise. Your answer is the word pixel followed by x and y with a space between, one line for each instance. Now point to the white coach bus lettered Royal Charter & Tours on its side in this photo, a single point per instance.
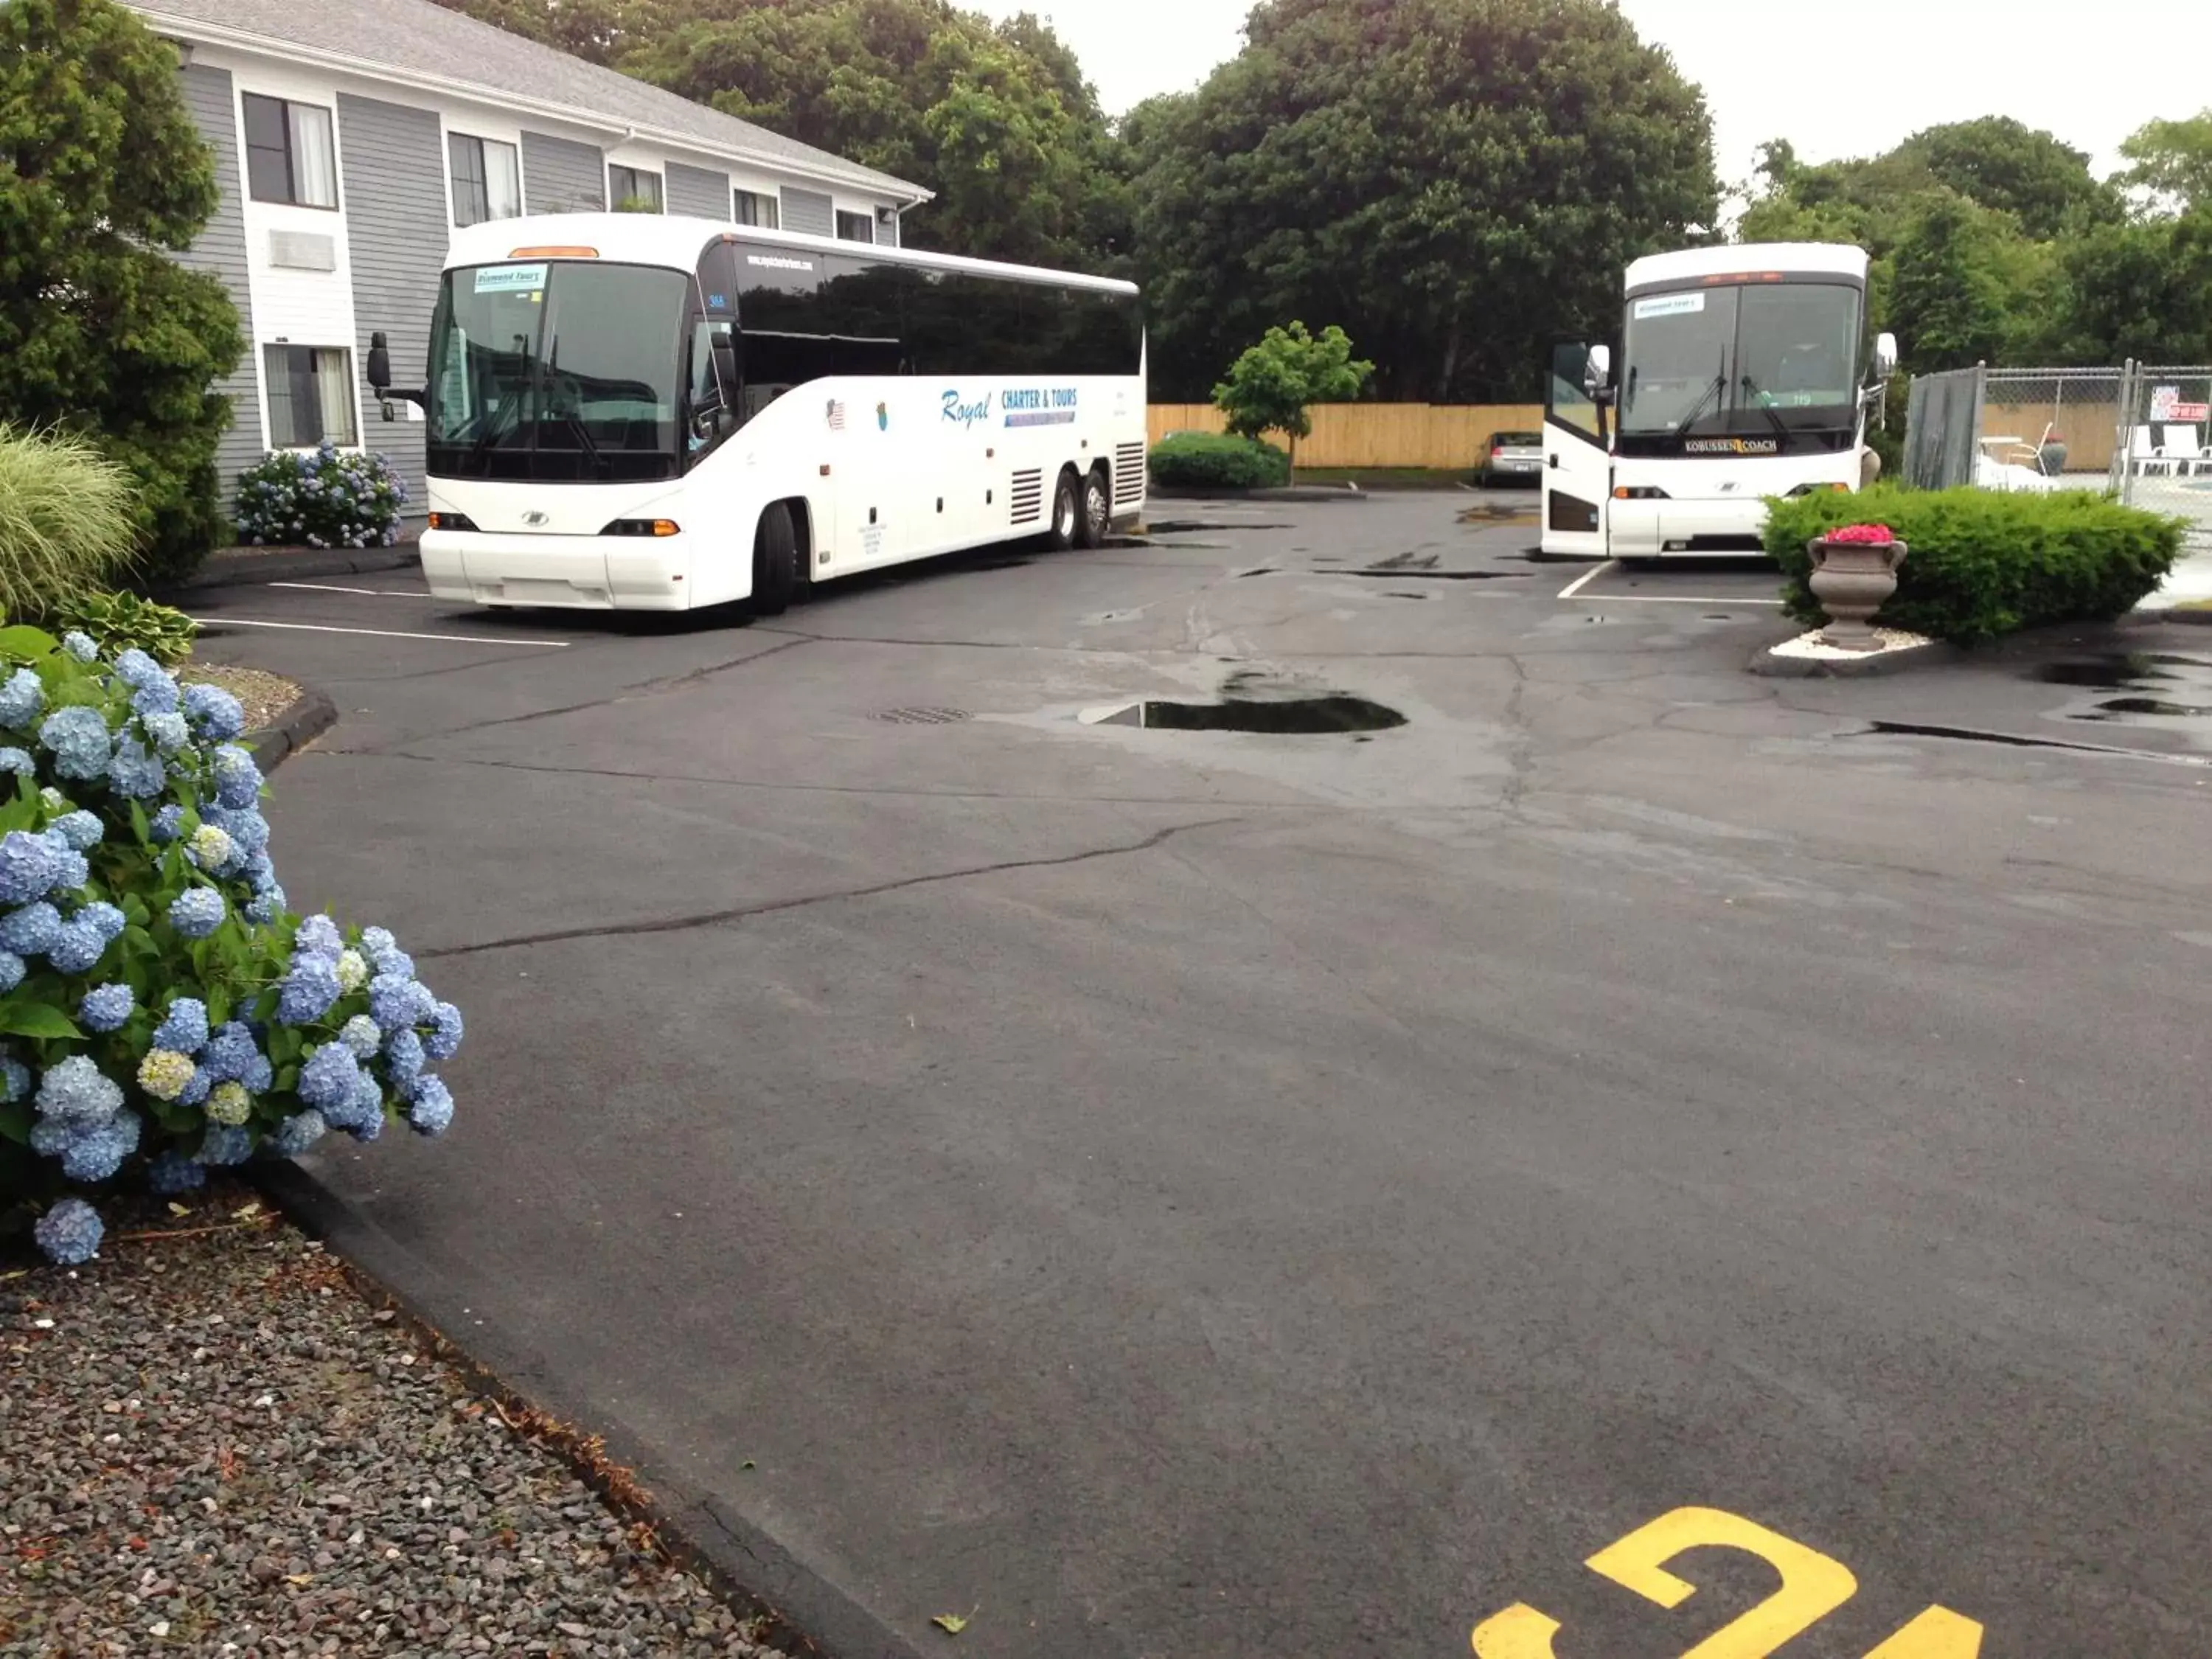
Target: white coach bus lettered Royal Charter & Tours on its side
pixel 660 415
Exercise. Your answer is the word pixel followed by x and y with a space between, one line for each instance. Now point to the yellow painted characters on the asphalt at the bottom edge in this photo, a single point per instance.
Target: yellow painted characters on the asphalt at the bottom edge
pixel 1813 1589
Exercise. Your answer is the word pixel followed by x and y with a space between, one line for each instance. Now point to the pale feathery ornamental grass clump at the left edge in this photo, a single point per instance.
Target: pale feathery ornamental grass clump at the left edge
pixel 65 521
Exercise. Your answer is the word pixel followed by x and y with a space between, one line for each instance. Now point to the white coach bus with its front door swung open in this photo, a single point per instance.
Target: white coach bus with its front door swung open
pixel 1746 373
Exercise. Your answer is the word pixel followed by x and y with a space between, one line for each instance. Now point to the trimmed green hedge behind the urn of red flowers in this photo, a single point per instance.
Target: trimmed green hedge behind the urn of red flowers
pixel 1987 563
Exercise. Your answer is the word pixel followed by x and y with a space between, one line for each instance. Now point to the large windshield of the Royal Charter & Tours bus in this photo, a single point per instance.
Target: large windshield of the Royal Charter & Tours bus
pixel 556 373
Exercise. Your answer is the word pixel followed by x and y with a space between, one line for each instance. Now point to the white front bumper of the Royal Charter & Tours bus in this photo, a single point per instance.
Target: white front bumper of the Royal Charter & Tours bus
pixel 567 572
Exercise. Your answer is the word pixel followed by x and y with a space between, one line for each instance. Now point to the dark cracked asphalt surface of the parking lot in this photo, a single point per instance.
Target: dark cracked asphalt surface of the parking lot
pixel 1196 1193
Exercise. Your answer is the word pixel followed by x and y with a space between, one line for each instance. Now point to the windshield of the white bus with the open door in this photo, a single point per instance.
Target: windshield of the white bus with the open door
pixel 1742 362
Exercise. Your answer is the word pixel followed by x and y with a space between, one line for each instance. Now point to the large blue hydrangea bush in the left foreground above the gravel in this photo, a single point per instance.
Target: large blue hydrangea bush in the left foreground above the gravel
pixel 160 1010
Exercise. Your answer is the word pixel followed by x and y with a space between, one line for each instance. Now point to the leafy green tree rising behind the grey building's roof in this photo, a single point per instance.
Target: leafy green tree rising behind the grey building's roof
pixel 999 123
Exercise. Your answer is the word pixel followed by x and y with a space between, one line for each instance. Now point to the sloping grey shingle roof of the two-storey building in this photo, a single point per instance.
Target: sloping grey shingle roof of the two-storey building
pixel 474 59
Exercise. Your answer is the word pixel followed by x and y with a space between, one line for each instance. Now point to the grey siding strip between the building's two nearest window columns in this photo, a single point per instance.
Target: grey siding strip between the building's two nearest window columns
pixel 397 218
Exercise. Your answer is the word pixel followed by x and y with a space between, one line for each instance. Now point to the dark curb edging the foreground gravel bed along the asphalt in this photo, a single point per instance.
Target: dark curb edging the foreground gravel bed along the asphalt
pixel 744 1563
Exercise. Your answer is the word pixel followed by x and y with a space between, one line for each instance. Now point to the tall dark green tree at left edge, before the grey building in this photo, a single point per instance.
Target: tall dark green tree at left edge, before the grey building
pixel 103 176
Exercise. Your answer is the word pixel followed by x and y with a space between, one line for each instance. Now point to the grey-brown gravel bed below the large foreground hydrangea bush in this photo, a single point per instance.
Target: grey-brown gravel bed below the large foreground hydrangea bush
pixel 211 1446
